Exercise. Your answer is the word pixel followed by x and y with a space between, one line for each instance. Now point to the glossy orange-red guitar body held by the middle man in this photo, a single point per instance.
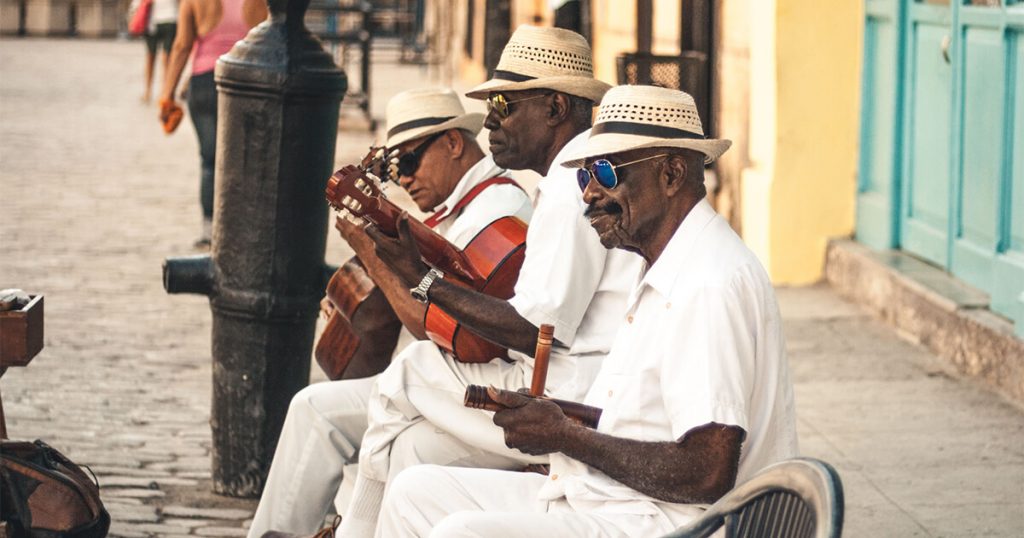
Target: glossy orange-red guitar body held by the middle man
pixel 497 253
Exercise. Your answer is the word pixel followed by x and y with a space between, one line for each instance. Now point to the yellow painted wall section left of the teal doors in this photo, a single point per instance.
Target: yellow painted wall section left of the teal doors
pixel 800 189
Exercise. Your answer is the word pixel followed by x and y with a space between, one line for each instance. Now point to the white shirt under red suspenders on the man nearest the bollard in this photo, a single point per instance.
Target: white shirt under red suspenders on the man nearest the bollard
pixel 493 203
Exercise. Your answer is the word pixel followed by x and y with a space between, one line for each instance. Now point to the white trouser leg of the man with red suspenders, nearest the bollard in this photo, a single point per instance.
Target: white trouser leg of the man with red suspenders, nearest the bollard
pixel 321 435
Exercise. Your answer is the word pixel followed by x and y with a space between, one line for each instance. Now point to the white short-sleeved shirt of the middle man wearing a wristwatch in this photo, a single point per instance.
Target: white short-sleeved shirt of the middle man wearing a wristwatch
pixel 571 281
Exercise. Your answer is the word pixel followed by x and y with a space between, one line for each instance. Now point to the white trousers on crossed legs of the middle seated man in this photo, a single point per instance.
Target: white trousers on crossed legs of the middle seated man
pixel 425 385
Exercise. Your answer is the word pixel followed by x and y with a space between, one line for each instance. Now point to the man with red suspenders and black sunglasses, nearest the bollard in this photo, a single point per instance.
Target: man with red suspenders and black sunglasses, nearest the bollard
pixel 440 163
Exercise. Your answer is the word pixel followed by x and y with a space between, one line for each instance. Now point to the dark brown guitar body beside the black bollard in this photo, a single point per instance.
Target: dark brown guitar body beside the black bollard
pixel 362 333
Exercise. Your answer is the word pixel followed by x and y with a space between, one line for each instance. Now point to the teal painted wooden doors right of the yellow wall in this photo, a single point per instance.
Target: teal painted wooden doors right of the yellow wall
pixel 943 140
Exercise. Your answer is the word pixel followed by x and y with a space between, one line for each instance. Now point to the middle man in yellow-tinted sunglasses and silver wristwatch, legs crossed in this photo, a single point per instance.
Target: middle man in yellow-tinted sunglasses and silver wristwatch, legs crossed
pixel 540 105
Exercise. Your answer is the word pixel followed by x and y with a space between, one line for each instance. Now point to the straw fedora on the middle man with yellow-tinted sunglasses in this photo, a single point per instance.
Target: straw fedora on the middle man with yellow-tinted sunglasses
pixel 545 58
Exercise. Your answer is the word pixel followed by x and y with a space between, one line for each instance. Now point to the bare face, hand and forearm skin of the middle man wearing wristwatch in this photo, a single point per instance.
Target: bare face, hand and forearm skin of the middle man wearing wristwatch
pixel 529 139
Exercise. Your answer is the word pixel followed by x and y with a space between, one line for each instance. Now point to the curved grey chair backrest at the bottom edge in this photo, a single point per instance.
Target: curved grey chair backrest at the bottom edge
pixel 797 499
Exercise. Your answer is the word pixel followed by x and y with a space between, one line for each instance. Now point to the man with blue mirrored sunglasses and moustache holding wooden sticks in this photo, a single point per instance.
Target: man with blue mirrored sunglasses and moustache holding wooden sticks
pixel 696 392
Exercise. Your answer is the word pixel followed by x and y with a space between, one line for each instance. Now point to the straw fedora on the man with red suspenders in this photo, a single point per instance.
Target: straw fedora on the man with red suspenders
pixel 417 113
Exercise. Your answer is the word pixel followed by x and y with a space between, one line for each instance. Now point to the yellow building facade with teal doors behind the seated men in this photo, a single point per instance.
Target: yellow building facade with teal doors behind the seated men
pixel 899 122
